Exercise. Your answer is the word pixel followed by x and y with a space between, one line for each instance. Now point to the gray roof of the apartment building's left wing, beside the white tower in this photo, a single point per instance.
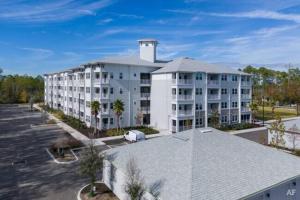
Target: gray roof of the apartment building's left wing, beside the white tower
pixel 130 60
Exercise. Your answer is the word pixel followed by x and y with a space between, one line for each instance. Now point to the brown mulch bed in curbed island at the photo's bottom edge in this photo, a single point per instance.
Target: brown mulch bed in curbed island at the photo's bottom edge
pixel 102 193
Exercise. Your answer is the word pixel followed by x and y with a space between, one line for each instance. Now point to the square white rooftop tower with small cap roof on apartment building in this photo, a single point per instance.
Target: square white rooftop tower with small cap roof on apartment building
pixel 148 49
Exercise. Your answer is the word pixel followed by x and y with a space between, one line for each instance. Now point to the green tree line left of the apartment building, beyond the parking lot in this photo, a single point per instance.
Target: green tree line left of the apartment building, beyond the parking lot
pixel 21 88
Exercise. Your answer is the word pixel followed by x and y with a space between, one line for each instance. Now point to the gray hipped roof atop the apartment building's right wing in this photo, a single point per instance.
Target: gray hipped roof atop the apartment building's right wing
pixel 190 65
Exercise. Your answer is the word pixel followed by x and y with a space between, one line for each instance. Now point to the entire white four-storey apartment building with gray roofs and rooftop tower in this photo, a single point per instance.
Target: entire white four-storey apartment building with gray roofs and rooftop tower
pixel 169 95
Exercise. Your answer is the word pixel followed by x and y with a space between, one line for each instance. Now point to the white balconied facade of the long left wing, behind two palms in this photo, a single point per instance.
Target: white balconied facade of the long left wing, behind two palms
pixel 114 81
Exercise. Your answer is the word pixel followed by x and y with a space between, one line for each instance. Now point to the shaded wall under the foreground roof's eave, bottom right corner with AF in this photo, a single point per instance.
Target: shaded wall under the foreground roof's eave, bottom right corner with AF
pixel 289 190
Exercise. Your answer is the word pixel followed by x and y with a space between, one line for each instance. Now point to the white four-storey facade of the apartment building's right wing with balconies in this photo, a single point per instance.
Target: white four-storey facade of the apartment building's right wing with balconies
pixel 185 100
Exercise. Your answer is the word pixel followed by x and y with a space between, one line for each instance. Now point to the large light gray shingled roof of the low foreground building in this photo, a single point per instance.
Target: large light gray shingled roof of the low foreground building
pixel 207 166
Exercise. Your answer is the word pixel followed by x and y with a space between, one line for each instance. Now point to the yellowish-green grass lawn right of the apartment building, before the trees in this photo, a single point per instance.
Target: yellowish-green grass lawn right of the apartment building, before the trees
pixel 283 112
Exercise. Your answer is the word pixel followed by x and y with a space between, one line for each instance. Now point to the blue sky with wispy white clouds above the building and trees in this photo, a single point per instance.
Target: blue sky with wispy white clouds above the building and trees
pixel 42 36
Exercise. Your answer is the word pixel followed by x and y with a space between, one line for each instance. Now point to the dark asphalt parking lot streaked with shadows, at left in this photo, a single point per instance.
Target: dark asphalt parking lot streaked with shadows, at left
pixel 34 175
